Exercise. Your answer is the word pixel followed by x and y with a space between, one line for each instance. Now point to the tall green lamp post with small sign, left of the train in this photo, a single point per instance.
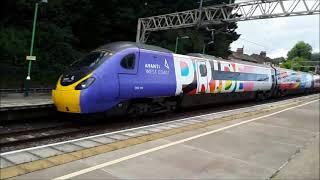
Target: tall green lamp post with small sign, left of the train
pixel 31 58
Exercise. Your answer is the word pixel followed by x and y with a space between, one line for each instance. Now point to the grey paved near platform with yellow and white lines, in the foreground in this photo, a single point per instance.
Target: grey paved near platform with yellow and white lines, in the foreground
pixel 278 140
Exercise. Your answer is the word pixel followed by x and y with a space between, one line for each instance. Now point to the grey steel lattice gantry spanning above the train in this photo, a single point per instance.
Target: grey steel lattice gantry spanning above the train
pixel 223 13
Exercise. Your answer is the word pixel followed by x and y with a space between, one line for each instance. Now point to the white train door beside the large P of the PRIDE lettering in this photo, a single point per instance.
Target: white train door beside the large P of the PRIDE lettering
pixel 202 76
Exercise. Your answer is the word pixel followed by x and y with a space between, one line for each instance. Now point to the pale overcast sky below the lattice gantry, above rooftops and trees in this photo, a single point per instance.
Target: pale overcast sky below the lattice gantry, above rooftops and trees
pixel 277 36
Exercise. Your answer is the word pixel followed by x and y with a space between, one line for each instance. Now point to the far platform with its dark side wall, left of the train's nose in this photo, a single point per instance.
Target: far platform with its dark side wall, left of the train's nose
pixel 15 106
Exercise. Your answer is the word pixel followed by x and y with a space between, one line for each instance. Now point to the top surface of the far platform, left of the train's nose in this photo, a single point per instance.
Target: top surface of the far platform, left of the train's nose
pixel 18 101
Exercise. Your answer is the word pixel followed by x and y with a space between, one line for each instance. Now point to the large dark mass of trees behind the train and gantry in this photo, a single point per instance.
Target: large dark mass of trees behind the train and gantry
pixel 67 29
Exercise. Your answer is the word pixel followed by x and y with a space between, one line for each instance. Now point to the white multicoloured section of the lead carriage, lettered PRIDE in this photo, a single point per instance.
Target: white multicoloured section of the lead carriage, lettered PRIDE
pixel 206 79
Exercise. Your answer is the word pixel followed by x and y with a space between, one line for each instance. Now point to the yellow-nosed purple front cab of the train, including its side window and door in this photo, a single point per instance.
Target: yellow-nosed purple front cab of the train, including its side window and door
pixel 114 80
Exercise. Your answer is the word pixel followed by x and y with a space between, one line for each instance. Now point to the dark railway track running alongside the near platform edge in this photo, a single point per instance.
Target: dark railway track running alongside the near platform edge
pixel 15 139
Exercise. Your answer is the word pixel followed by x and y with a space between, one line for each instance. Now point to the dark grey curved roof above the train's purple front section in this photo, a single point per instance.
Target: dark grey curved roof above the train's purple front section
pixel 121 45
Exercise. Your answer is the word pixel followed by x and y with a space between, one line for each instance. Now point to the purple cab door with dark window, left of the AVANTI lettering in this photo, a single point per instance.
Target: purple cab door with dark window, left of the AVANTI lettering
pixel 128 82
